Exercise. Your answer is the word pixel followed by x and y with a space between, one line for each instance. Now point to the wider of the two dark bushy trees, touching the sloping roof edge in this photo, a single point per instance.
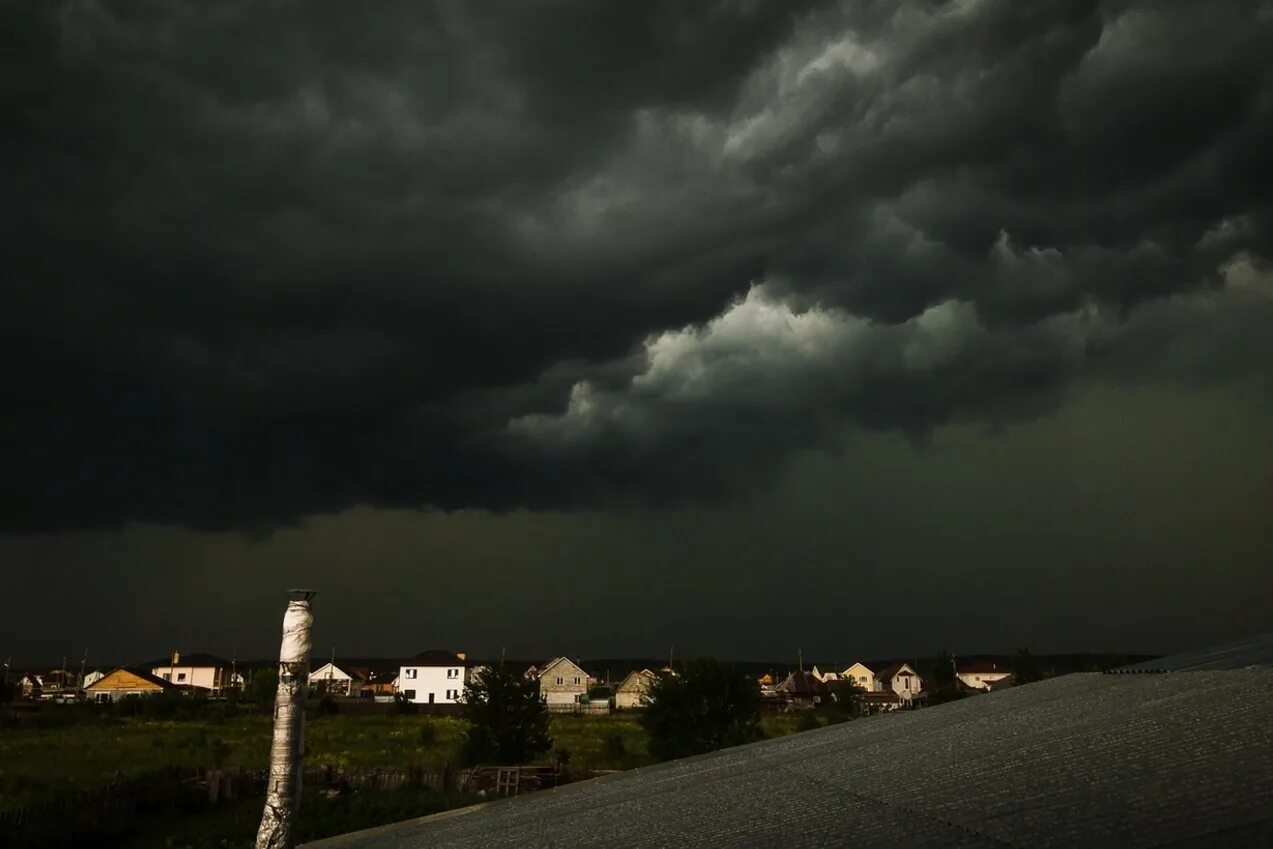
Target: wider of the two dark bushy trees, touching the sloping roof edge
pixel 707 707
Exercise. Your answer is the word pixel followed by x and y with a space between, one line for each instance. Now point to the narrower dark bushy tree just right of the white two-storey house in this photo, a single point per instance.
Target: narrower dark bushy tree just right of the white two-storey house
pixel 509 722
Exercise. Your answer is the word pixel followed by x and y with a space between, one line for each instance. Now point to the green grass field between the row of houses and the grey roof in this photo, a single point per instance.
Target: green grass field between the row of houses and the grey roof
pixel 67 753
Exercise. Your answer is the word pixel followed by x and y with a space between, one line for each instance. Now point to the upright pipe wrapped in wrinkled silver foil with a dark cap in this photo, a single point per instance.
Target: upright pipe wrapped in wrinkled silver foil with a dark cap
pixel 283 792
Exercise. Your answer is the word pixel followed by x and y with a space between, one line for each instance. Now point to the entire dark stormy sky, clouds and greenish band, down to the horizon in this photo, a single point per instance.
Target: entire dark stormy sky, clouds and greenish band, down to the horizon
pixel 869 329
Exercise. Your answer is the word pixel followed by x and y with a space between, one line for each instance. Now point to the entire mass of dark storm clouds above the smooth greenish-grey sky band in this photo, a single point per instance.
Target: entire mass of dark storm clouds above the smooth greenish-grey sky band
pixel 272 260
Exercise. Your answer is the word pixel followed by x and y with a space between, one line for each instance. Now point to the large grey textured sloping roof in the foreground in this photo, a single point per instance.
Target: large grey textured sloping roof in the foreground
pixel 1090 761
